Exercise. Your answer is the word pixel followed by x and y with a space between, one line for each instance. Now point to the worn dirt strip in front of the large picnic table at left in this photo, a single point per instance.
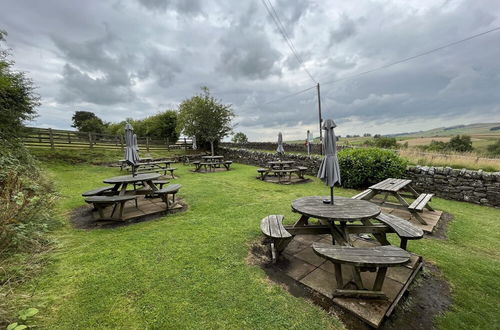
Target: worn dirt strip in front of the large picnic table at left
pixel 81 218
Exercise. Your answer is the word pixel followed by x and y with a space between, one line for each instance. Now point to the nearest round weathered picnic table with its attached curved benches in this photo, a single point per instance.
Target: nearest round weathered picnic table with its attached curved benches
pixel 338 220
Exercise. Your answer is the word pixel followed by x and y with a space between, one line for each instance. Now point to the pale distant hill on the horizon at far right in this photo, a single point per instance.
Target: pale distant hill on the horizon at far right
pixel 479 128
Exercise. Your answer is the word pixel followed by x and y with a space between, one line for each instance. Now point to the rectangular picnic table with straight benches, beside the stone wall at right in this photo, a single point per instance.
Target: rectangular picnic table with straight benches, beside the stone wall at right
pixel 394 187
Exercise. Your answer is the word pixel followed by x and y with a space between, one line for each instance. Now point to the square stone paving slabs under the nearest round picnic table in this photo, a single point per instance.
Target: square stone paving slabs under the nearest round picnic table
pixel 304 266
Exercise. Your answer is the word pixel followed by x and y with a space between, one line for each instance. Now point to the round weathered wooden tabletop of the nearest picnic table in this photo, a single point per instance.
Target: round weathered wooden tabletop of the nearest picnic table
pixel 344 209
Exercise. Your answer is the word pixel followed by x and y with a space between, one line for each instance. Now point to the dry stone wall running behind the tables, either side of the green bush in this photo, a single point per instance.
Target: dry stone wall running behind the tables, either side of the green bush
pixel 477 187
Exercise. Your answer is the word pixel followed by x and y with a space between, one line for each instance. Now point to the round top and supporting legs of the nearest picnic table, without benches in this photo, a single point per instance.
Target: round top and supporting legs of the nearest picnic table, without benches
pixel 343 210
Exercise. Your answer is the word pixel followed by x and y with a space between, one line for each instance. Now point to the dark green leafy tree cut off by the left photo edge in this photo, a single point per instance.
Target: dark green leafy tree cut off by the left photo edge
pixel 18 100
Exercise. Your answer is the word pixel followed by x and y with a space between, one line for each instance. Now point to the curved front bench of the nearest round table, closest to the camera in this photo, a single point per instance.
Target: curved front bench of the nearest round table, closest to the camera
pixel 363 259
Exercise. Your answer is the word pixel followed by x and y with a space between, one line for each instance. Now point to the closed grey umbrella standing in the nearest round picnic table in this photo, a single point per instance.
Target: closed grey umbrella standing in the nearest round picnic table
pixel 329 171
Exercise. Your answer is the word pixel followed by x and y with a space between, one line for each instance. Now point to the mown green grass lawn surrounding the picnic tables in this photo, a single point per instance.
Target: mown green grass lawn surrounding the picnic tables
pixel 188 270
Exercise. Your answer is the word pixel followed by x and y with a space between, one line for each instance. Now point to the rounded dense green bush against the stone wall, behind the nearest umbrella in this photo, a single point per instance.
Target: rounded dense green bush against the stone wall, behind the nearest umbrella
pixel 360 168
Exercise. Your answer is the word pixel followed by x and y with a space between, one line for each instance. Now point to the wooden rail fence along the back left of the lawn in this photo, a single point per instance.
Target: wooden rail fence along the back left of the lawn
pixel 62 139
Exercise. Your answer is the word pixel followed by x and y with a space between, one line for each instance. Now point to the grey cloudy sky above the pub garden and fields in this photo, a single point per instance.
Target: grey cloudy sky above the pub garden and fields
pixel 134 58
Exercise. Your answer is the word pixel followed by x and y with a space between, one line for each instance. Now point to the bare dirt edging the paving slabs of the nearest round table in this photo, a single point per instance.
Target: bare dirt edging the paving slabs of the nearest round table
pixel 427 296
